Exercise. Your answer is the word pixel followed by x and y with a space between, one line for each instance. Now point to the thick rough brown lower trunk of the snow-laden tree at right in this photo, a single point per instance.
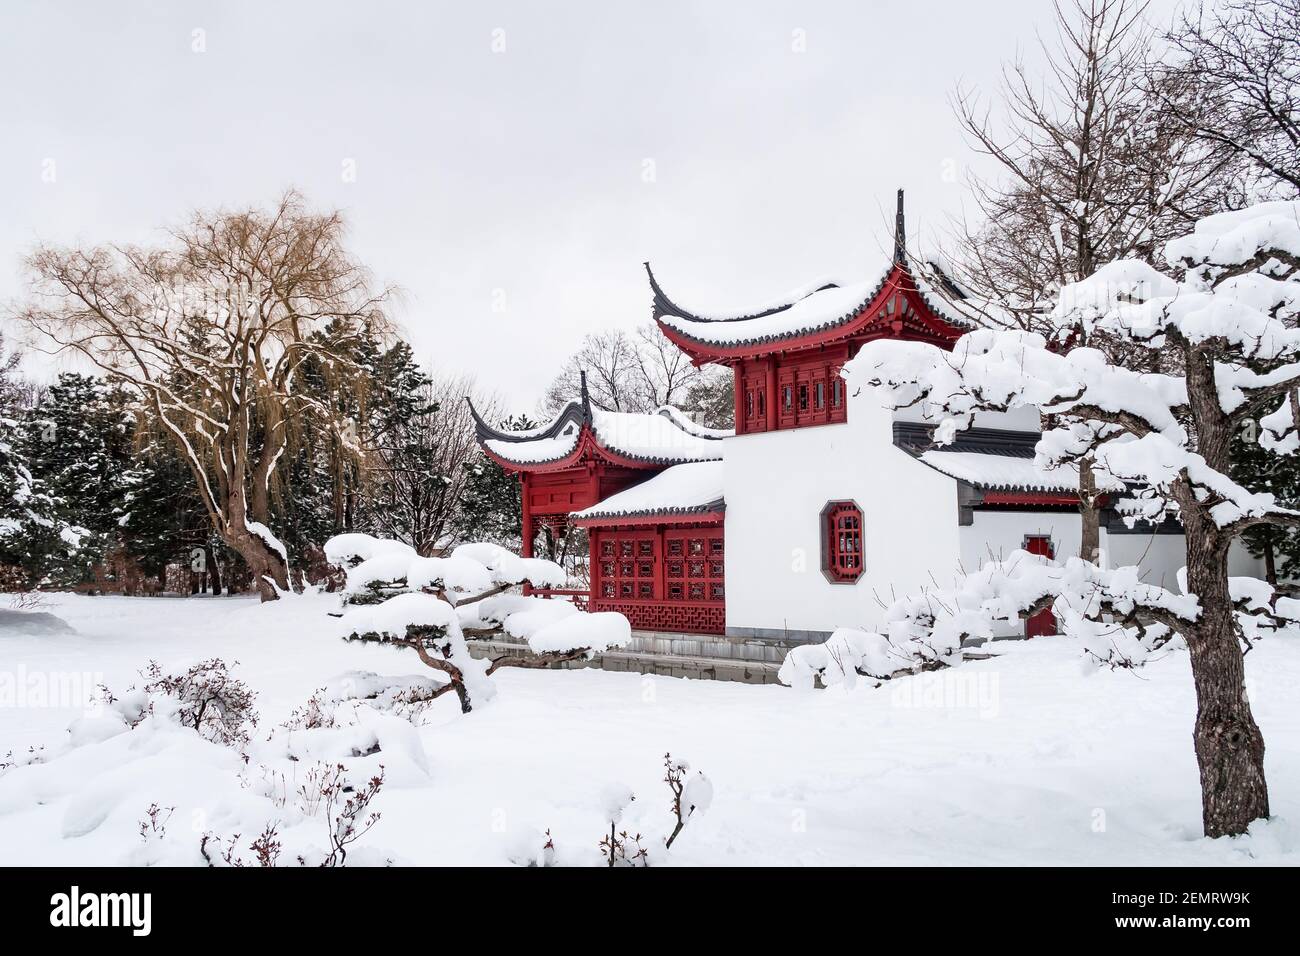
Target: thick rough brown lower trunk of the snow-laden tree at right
pixel 1229 745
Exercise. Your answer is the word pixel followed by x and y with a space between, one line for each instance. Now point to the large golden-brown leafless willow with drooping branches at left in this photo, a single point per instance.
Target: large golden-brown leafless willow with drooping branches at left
pixel 211 328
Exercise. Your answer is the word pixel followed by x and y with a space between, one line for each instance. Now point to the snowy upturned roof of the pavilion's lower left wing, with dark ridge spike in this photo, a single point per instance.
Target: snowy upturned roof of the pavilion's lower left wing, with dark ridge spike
pixel 664 438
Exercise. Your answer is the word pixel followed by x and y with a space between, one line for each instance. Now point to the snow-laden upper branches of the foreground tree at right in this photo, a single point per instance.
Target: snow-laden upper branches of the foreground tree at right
pixel 1240 327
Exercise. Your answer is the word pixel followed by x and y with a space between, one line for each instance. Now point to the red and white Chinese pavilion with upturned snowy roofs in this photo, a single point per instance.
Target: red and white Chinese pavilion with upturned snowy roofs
pixel 821 501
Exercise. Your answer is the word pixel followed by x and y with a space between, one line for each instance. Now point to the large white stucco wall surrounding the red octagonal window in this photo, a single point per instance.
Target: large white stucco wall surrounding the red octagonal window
pixel 777 486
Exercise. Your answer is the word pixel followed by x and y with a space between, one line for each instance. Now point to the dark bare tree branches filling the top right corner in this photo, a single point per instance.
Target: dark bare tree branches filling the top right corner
pixel 1237 86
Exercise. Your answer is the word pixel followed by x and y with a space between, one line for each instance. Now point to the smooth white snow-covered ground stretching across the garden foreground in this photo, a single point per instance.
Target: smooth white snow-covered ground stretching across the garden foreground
pixel 1026 759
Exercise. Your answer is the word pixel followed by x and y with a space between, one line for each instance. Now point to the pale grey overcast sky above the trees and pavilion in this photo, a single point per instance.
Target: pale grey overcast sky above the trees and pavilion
pixel 515 163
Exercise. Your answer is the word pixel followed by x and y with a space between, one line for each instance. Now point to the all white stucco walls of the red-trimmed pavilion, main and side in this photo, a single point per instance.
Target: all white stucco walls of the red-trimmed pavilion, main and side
pixel 777 486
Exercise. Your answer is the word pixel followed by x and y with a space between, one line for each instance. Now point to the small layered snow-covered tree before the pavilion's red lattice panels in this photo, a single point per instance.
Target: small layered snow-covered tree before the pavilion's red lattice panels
pixel 395 596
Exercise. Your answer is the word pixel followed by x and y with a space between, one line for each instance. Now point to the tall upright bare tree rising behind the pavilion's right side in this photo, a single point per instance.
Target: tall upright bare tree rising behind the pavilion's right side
pixel 1090 174
